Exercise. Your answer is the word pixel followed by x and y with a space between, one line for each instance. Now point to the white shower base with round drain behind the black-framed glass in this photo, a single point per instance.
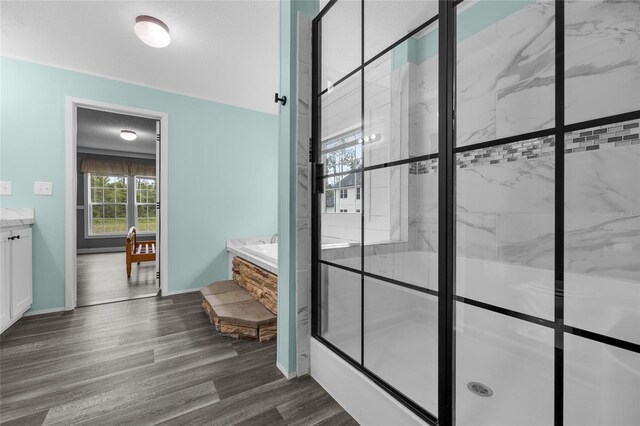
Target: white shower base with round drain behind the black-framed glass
pixel 514 358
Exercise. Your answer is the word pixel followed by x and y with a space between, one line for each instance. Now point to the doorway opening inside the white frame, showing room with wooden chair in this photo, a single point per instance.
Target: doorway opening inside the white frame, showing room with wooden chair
pixel 117 192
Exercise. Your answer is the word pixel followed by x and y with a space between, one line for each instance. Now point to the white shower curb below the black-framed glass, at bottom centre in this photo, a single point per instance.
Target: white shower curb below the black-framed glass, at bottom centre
pixel 357 394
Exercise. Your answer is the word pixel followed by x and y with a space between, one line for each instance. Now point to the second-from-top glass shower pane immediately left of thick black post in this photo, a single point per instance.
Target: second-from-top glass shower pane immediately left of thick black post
pixel 401 106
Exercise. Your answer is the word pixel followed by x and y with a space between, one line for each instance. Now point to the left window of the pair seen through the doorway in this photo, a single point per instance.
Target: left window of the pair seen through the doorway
pixel 107 204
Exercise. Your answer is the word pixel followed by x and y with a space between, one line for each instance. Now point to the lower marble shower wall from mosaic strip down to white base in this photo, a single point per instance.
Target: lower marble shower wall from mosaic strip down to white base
pixel 505 201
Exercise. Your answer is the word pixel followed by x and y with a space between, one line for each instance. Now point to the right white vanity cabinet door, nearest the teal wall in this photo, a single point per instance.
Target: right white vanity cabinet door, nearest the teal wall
pixel 21 283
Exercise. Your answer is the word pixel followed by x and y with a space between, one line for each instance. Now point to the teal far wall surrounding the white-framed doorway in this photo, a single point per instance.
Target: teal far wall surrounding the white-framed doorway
pixel 222 170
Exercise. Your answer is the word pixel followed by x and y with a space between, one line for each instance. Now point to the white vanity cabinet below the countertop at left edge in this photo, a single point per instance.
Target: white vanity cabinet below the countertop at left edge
pixel 16 287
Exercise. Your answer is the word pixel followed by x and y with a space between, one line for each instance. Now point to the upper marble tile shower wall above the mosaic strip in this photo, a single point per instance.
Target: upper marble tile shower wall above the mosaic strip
pixel 506 71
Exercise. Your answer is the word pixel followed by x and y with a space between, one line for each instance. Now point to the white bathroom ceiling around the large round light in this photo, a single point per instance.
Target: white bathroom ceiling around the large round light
pixel 224 51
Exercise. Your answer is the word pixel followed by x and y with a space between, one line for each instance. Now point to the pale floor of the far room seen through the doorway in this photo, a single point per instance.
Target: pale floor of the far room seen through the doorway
pixel 103 278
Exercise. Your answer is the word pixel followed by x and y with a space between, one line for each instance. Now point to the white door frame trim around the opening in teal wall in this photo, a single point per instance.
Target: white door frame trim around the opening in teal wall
pixel 71 198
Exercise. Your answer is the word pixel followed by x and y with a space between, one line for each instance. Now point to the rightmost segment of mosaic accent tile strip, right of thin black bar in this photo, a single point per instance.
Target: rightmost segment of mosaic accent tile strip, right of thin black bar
pixel 603 137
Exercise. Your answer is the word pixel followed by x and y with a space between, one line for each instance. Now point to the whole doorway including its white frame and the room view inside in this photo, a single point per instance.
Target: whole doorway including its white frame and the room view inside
pixel 114 159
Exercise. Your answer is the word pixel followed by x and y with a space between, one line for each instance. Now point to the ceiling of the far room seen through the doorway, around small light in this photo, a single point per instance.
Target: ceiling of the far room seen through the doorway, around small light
pixel 100 131
